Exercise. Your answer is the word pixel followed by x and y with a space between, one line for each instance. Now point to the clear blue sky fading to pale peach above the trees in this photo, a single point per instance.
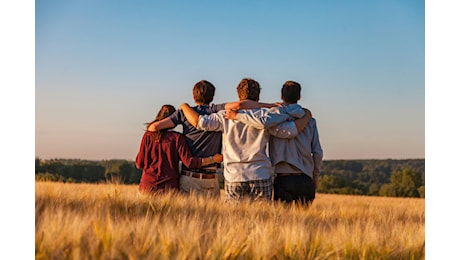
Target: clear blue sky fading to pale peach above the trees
pixel 103 68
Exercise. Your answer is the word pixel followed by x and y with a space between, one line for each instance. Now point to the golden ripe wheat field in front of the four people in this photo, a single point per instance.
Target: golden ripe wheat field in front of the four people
pixel 114 221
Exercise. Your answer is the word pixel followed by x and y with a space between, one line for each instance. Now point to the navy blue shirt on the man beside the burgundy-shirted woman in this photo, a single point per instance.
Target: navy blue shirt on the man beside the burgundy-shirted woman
pixel 201 143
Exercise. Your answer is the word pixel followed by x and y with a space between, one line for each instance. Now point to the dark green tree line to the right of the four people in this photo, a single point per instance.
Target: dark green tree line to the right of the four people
pixel 395 178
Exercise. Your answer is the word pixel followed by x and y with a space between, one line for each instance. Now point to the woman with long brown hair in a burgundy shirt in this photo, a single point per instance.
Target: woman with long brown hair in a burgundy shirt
pixel 160 153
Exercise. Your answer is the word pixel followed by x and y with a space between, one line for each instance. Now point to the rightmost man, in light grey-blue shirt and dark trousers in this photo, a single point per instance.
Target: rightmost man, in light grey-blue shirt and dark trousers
pixel 297 160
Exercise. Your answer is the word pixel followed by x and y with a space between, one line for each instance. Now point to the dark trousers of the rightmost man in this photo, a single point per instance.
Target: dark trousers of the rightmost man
pixel 299 188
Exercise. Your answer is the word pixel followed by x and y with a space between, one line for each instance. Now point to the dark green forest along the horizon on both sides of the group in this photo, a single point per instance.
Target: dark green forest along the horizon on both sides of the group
pixel 395 178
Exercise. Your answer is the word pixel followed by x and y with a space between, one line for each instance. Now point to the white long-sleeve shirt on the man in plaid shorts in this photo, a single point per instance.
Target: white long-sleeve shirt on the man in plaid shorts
pixel 244 146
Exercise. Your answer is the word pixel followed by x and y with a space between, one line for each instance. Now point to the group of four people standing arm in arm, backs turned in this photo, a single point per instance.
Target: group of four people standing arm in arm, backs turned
pixel 241 131
